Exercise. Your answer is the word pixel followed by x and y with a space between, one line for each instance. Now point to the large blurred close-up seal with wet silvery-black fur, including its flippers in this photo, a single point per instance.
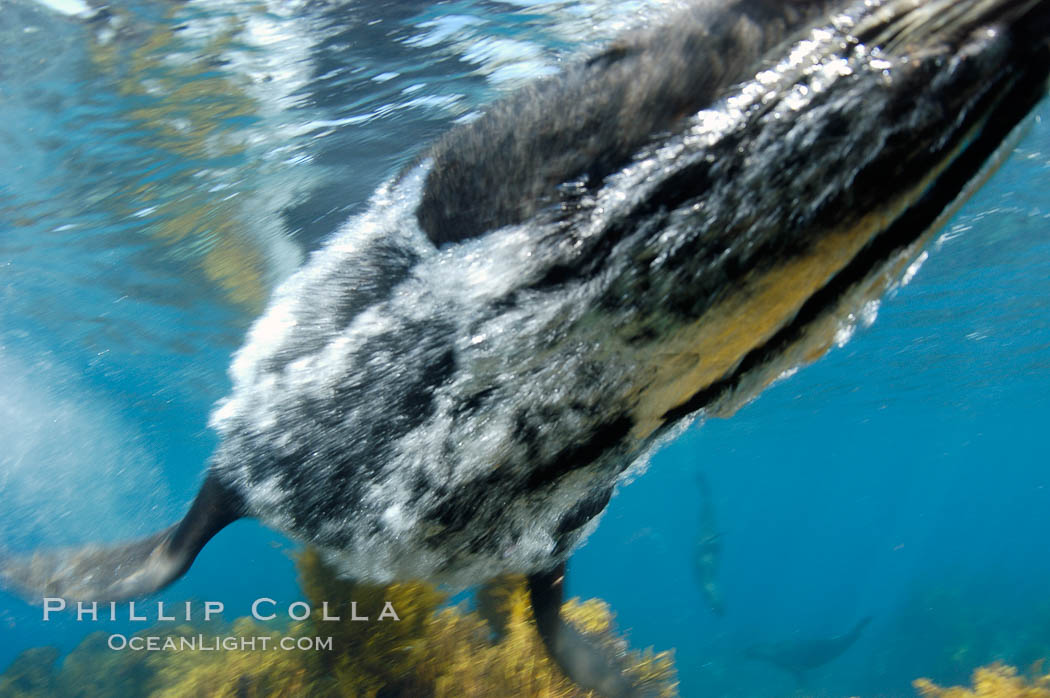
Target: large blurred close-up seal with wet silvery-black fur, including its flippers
pixel 453 387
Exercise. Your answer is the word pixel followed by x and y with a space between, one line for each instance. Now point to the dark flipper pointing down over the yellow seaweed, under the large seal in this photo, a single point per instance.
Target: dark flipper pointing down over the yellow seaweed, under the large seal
pixel 583 661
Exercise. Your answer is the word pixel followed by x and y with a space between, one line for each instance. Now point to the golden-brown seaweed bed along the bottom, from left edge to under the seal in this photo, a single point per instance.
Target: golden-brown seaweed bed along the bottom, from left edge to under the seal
pixel 433 650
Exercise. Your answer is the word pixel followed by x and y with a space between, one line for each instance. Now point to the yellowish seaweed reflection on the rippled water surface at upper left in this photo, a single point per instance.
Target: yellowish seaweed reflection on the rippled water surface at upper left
pixel 197 187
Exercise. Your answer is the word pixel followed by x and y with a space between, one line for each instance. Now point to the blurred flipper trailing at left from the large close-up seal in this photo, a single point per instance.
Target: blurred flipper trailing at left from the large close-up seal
pixel 111 574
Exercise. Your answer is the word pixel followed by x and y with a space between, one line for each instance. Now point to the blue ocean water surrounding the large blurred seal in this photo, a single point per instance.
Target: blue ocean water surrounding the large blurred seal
pixel 164 172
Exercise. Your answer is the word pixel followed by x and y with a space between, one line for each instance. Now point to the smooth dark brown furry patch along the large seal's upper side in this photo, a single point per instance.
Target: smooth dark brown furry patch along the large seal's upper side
pixel 559 138
